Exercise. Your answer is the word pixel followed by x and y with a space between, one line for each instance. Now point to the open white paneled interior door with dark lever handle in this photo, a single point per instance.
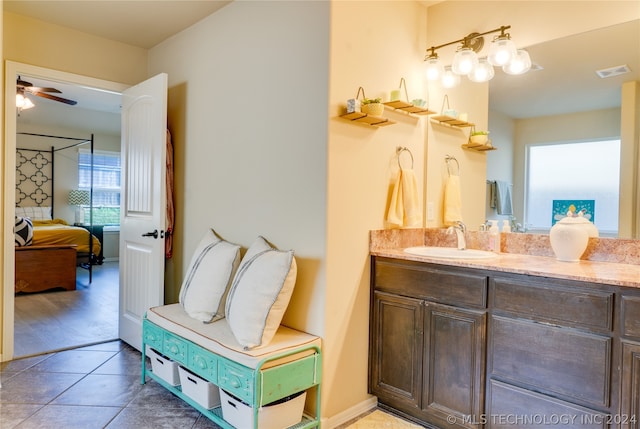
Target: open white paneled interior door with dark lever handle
pixel 142 204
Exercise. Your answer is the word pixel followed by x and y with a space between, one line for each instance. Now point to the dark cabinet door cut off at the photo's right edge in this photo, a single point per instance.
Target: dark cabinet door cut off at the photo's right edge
pixel 630 407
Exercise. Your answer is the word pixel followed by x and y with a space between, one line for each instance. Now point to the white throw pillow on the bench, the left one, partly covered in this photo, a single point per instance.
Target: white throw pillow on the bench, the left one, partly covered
pixel 205 287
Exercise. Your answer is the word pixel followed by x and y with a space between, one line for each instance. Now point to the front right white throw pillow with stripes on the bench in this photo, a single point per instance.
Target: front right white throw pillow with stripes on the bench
pixel 260 293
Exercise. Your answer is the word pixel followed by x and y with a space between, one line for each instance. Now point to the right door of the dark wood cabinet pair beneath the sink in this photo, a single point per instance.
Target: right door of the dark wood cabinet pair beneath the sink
pixel 454 364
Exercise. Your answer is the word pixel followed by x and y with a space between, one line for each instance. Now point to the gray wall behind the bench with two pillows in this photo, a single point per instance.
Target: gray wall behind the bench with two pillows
pixel 247 112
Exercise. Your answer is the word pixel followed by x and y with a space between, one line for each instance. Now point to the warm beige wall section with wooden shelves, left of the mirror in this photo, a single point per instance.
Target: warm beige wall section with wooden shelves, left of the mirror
pixel 373 45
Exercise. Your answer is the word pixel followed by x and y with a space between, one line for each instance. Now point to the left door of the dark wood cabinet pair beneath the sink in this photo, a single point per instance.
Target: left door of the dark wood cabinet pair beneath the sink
pixel 396 350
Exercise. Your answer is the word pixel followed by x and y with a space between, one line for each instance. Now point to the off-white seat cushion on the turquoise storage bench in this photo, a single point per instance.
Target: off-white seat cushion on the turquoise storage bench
pixel 218 338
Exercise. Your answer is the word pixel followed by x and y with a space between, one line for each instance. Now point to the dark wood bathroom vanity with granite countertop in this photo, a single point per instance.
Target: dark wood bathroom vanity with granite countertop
pixel 513 341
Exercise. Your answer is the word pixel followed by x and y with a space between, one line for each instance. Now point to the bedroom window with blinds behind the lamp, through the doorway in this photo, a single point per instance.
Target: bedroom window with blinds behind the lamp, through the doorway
pixel 106 184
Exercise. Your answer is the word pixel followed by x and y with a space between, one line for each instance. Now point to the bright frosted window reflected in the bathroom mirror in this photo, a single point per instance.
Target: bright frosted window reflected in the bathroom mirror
pixel 573 172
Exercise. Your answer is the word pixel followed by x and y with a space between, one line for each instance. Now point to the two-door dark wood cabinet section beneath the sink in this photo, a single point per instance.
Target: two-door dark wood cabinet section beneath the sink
pixel 427 348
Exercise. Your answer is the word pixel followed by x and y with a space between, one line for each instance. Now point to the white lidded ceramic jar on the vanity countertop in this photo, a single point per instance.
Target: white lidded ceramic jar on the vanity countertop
pixel 570 236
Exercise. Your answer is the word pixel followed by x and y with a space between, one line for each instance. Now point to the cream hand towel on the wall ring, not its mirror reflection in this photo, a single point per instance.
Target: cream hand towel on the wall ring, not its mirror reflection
pixel 404 208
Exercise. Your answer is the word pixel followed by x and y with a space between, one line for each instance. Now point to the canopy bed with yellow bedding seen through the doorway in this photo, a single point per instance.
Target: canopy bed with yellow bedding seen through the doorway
pixel 48 259
